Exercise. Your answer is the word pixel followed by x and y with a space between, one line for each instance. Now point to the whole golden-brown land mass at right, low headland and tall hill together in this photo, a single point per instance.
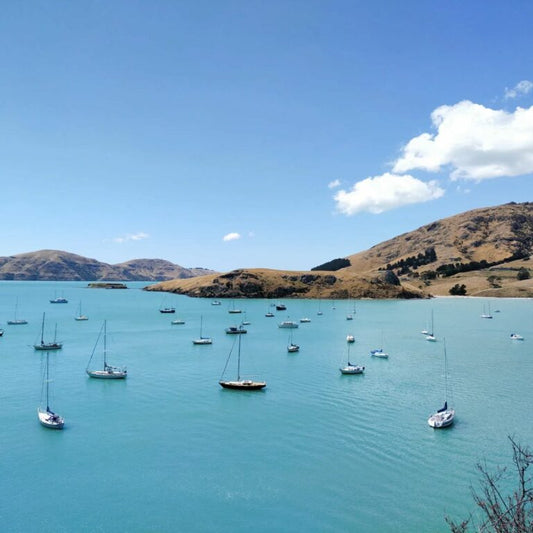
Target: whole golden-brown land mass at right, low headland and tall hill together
pixel 483 252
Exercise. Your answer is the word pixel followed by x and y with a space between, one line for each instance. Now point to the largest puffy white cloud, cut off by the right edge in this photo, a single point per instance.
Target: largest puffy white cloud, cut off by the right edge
pixel 475 141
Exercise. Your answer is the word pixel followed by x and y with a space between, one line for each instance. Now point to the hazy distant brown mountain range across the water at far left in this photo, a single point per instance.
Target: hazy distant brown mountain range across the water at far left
pixel 55 265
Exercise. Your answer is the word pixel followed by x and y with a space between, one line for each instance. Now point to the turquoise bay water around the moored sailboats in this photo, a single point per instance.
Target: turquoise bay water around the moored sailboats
pixel 170 450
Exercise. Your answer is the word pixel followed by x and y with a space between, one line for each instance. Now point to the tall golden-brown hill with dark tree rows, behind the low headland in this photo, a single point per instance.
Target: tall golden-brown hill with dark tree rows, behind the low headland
pixel 483 249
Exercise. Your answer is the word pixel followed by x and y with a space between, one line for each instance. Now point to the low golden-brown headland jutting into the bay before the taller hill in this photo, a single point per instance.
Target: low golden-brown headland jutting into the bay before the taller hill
pixel 264 283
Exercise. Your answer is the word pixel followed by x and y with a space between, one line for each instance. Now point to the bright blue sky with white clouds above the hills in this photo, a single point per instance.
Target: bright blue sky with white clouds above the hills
pixel 247 134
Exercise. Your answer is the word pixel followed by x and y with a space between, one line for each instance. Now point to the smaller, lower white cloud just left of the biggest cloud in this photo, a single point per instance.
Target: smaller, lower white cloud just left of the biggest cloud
pixel 383 193
